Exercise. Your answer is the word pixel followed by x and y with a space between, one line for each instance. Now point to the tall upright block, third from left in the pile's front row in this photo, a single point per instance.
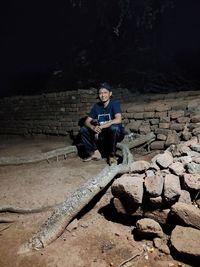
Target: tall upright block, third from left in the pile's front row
pixel 172 188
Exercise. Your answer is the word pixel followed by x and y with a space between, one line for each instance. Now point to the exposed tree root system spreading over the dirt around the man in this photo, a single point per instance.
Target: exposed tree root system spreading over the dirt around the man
pixel 64 213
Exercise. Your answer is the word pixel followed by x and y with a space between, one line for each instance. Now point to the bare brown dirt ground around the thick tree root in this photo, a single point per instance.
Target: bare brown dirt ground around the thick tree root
pixel 96 238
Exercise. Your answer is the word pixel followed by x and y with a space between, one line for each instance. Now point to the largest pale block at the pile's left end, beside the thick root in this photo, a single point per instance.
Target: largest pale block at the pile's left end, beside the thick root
pixel 128 188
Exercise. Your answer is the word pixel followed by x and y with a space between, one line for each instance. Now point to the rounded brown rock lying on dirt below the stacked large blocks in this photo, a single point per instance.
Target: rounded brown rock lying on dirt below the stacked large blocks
pixel 149 228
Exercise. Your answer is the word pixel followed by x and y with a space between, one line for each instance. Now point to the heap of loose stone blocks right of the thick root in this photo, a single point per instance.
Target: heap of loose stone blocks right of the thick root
pixel 163 196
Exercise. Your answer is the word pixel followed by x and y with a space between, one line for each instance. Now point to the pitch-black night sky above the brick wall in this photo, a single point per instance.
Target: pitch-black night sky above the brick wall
pixel 39 38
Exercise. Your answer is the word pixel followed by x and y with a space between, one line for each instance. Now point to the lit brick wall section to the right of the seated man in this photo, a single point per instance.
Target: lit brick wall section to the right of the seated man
pixel 173 117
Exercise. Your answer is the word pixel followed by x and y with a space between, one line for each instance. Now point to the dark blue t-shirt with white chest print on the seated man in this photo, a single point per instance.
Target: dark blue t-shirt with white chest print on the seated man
pixel 103 114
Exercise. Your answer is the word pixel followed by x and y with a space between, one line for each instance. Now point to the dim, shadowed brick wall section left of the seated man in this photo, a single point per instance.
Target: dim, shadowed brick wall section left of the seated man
pixel 55 113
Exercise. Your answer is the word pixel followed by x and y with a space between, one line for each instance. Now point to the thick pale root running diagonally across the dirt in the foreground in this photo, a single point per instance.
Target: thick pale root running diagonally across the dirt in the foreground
pixel 65 212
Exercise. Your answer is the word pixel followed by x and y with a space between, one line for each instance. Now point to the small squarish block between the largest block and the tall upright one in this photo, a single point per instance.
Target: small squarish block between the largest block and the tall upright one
pixel 154 185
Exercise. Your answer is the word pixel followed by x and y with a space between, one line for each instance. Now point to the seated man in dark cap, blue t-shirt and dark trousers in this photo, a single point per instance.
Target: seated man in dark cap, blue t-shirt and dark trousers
pixel 103 127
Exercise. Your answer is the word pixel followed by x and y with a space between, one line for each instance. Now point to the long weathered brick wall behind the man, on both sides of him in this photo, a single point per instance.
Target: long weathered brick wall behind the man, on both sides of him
pixel 172 116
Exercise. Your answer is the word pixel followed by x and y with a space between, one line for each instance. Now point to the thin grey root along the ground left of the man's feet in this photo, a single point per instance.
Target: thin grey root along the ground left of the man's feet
pixel 17 160
